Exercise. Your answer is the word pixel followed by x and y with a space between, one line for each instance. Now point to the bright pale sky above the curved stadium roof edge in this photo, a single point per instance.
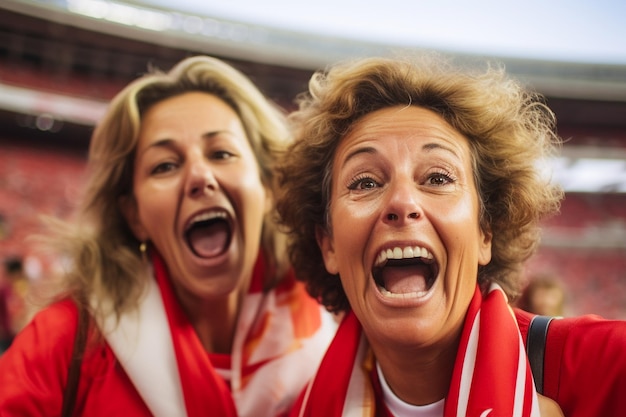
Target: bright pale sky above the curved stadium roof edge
pixel 563 30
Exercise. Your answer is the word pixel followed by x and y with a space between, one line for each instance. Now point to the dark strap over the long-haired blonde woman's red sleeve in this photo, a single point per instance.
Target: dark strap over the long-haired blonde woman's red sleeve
pixel 73 374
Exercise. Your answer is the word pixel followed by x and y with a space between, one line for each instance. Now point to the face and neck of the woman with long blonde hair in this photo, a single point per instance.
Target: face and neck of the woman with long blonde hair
pixel 193 157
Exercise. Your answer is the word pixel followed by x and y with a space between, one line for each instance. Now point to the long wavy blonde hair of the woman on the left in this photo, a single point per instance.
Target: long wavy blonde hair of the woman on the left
pixel 104 254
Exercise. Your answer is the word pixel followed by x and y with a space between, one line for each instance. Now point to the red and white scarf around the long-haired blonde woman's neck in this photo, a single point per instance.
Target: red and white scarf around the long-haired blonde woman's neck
pixel 280 339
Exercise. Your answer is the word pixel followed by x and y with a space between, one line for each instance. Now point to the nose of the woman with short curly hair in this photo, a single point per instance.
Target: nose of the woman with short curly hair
pixel 403 204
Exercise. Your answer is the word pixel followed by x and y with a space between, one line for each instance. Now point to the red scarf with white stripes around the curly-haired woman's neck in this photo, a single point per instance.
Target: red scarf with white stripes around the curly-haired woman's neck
pixel 491 376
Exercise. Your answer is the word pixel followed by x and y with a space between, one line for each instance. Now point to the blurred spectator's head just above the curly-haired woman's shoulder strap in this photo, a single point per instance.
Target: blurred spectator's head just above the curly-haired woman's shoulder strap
pixel 544 295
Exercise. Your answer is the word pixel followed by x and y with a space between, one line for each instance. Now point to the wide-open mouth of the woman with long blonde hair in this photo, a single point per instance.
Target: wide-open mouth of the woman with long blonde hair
pixel 209 234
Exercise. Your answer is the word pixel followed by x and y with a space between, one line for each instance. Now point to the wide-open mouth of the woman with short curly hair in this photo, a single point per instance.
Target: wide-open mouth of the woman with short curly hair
pixel 405 272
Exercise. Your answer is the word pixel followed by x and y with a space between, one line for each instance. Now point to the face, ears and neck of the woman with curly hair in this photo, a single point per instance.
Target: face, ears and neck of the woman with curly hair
pixel 403 177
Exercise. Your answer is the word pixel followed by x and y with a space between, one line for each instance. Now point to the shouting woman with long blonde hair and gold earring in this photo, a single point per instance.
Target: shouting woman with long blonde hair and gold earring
pixel 179 299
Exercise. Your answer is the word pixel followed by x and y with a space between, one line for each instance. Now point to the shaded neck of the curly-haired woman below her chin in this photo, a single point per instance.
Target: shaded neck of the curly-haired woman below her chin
pixel 417 376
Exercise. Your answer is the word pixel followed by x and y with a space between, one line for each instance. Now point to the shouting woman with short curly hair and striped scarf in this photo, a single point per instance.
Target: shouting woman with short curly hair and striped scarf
pixel 413 194
